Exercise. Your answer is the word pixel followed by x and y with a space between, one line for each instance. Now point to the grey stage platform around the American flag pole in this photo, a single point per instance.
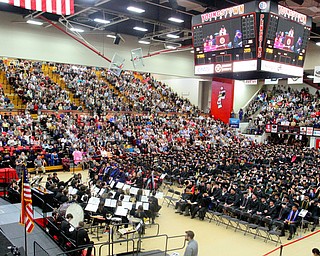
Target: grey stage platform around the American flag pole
pixel 14 232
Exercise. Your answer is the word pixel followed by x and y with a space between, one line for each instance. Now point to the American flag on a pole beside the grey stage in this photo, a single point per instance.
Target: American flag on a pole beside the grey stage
pixel 26 216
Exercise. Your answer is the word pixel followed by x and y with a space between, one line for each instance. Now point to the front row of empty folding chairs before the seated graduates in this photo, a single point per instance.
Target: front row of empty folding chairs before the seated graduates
pixel 244 221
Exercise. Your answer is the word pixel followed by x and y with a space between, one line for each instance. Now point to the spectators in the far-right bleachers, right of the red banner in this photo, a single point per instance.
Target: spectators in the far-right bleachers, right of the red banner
pixel 284 106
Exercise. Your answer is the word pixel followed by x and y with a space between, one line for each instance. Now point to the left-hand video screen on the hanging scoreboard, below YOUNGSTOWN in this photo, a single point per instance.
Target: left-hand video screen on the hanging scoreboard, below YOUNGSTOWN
pixel 222 35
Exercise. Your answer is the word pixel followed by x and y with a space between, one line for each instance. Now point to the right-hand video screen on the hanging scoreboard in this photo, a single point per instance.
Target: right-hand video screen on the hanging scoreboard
pixel 289 36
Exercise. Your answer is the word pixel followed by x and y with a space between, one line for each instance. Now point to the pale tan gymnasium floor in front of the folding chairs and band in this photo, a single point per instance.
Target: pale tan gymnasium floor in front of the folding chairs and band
pixel 212 239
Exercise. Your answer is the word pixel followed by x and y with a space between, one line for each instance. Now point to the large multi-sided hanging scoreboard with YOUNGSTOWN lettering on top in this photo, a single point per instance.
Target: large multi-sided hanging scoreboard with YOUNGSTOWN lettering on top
pixel 256 40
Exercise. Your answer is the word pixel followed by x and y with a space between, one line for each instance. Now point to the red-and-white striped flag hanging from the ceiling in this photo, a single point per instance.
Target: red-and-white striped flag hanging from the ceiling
pixel 60 7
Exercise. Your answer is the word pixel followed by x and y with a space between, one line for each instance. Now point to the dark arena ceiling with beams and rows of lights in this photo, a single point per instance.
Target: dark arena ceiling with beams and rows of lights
pixel 153 22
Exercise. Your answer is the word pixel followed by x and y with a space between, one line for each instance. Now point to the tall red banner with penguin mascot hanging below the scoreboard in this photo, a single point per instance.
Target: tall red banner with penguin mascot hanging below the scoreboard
pixel 222 99
